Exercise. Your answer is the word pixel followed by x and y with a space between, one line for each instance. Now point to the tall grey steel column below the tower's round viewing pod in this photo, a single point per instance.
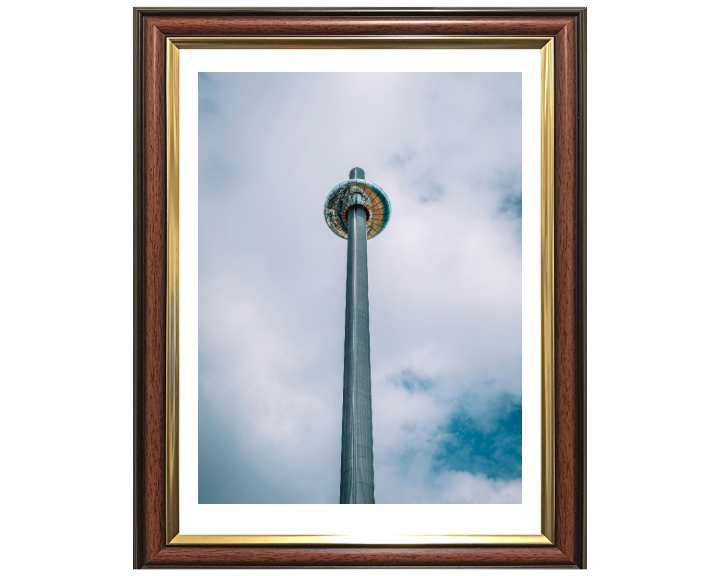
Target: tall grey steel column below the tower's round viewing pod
pixel 356 472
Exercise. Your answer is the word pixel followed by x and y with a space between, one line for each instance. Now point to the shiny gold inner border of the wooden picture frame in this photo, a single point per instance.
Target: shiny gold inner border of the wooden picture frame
pixel 545 46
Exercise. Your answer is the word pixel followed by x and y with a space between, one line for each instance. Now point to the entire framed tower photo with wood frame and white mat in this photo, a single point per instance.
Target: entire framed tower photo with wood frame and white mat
pixel 359 287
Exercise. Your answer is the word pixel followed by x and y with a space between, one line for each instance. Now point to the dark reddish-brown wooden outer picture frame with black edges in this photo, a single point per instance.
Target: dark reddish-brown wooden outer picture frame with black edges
pixel 151 27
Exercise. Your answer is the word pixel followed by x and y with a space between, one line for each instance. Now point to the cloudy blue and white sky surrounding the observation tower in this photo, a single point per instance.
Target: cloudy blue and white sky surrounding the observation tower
pixel 444 284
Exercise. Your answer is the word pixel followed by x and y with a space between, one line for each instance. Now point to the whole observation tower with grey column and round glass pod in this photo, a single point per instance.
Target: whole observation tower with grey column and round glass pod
pixel 357 209
